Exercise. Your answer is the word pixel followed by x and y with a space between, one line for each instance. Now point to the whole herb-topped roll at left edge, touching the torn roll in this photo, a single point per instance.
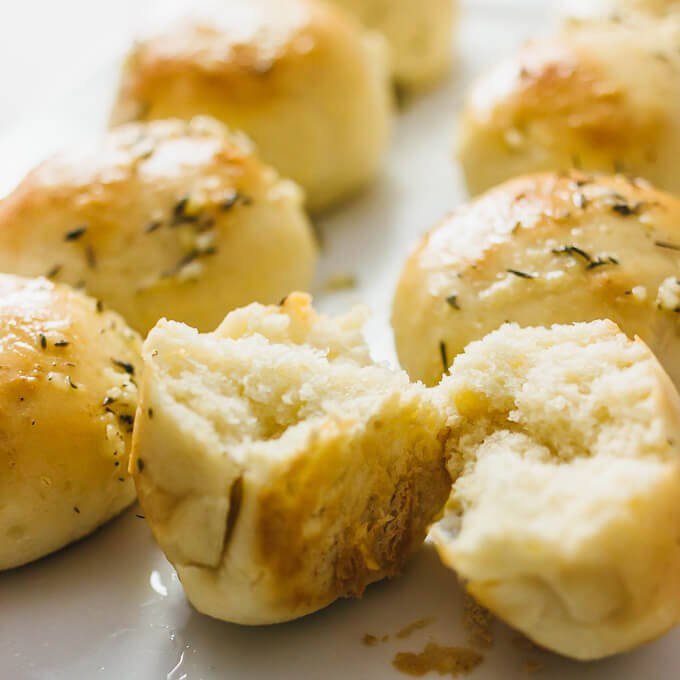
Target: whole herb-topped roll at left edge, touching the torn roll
pixel 67 402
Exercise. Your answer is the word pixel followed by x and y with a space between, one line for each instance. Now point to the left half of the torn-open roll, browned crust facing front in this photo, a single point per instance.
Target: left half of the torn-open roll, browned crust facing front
pixel 278 467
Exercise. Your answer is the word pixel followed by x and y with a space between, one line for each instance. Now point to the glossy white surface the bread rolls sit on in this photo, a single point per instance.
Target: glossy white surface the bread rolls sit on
pixel 111 607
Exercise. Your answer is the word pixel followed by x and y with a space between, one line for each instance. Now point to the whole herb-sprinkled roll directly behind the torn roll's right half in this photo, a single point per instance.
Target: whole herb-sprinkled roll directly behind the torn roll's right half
pixel 552 248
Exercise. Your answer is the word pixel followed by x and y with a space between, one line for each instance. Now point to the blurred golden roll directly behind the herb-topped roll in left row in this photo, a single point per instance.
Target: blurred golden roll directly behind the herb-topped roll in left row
pixel 301 77
